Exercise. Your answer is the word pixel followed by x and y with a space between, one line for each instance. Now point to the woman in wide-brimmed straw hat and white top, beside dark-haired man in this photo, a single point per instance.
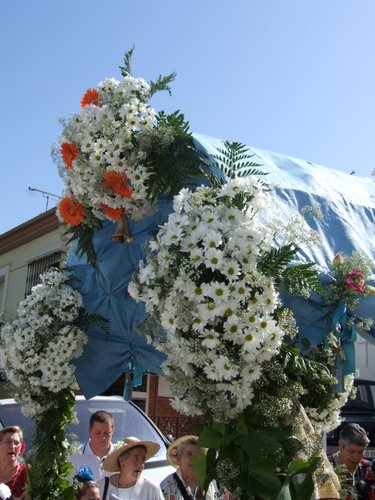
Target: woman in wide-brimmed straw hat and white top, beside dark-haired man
pixel 127 460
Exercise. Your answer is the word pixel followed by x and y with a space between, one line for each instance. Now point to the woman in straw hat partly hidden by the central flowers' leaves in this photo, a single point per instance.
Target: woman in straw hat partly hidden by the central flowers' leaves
pixel 183 484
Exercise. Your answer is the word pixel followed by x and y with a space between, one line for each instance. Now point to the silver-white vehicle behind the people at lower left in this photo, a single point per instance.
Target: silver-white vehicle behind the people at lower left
pixel 129 421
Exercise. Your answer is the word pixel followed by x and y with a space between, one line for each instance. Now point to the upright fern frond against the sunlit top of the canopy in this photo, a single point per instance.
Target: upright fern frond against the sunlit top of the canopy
pixel 235 161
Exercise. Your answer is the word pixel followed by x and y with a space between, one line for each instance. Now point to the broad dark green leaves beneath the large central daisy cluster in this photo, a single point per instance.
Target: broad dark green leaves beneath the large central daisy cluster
pixel 256 460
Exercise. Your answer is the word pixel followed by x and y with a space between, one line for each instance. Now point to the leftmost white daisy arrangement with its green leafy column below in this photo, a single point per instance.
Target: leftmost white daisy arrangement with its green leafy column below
pixel 37 351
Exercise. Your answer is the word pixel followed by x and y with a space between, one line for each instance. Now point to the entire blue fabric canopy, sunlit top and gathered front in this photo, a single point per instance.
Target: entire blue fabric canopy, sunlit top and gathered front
pixel 348 207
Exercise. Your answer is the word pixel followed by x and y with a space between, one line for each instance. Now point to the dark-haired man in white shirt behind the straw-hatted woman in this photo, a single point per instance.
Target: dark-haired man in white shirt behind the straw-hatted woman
pixel 93 452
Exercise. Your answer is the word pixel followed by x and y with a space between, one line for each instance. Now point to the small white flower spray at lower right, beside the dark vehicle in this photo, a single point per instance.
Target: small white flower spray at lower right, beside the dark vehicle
pixel 328 419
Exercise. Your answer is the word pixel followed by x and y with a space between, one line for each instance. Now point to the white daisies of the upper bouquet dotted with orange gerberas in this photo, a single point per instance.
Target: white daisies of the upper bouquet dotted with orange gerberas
pixel 104 135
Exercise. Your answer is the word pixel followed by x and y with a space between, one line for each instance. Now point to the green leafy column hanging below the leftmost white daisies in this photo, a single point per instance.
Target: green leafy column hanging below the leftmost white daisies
pixel 49 456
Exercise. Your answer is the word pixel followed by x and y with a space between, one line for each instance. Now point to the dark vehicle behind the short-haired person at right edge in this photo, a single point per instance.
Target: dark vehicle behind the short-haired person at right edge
pixel 361 411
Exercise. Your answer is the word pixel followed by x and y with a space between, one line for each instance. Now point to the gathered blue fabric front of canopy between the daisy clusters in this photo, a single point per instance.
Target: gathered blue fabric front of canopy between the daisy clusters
pixel 105 357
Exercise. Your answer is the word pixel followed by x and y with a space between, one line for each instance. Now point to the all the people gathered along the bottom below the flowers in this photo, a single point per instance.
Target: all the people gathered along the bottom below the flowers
pixel 102 471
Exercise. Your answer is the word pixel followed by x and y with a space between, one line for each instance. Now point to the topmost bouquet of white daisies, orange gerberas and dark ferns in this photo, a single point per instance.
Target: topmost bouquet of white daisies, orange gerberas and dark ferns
pixel 118 155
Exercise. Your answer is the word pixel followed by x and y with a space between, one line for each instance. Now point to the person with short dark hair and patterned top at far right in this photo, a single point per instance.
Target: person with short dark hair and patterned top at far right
pixel 355 472
